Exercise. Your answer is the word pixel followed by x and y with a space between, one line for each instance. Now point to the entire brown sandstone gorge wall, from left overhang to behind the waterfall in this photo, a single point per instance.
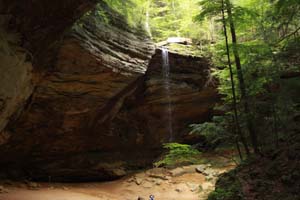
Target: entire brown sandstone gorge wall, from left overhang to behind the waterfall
pixel 90 104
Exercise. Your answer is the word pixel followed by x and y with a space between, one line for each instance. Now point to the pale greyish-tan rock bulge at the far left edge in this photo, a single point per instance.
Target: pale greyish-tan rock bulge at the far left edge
pixel 16 79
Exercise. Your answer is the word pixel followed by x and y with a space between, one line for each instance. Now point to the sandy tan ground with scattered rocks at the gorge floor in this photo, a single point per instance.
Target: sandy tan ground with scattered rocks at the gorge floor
pixel 183 183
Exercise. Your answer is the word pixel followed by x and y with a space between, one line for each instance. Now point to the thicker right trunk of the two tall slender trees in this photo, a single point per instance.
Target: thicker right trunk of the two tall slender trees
pixel 241 80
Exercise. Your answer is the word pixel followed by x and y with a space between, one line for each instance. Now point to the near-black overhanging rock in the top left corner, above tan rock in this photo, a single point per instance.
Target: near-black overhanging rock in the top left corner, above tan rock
pixel 42 22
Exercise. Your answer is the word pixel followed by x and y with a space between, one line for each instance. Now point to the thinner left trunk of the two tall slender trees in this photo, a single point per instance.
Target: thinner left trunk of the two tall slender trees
pixel 236 119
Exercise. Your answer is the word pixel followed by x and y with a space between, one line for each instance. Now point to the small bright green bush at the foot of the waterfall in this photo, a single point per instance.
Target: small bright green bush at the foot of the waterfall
pixel 178 154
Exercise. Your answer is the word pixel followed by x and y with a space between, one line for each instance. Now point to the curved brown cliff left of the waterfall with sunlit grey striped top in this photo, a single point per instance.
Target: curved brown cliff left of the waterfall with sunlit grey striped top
pixel 98 64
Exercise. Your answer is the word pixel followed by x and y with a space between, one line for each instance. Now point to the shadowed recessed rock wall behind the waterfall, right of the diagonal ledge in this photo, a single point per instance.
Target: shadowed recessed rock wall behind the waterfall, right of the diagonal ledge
pixel 193 94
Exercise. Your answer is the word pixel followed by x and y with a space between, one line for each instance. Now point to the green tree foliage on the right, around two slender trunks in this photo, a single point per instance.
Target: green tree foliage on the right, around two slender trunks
pixel 268 45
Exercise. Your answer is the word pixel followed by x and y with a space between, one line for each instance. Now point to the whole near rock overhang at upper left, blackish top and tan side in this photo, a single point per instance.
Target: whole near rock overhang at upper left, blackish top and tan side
pixel 28 30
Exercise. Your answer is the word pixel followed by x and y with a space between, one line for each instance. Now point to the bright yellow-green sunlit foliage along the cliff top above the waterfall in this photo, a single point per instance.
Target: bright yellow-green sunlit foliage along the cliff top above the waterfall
pixel 160 18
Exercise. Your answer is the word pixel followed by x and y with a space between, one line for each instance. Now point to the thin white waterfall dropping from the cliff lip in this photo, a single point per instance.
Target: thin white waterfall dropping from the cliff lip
pixel 166 83
